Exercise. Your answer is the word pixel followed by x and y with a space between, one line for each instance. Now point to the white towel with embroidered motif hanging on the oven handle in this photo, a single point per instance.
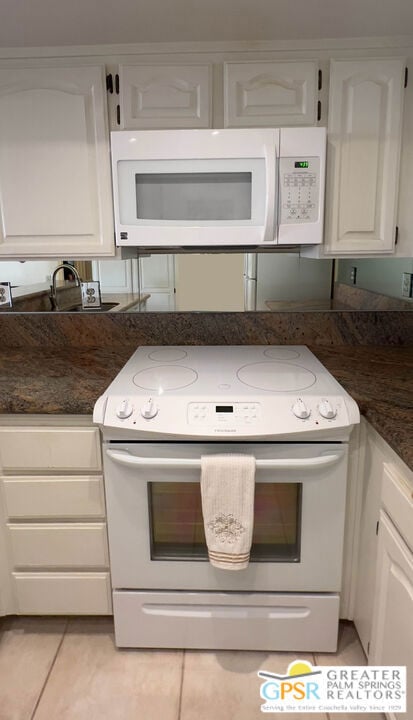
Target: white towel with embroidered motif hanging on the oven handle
pixel 227 492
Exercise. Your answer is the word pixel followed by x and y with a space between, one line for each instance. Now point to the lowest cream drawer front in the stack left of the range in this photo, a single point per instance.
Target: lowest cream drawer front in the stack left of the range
pixel 63 593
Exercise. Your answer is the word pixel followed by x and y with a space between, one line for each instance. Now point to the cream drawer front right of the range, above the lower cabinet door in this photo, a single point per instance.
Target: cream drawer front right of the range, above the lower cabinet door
pixel 397 499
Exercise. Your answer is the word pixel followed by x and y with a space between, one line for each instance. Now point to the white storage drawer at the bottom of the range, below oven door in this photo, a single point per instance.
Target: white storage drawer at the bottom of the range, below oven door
pixel 226 621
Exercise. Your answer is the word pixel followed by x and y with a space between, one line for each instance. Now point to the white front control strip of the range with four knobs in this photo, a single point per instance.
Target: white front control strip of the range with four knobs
pixel 305 415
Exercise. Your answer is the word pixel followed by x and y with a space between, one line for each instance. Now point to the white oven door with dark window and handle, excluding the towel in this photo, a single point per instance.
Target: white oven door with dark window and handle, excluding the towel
pixel 155 525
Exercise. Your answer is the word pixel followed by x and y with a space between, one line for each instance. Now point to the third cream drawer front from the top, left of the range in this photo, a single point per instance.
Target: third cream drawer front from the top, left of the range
pixel 74 545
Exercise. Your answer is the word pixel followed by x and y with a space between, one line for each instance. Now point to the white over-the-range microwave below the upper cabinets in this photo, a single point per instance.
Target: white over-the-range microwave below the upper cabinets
pixel 219 188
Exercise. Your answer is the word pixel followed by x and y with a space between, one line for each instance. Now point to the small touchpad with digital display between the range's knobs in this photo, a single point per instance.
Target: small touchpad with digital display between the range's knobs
pixel 225 414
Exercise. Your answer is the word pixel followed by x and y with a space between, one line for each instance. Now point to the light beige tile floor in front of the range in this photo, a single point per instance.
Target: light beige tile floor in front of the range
pixel 58 669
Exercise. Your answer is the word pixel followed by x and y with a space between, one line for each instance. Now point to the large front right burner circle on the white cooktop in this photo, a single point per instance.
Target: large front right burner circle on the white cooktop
pixel 276 377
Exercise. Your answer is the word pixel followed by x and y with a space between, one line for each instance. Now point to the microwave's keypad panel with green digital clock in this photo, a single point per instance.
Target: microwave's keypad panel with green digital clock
pixel 299 189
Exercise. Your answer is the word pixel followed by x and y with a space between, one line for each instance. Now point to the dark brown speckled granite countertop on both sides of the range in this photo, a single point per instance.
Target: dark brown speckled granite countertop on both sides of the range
pixel 68 381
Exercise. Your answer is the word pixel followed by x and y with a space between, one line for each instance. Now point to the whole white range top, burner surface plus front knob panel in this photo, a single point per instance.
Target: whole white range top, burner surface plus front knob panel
pixel 223 393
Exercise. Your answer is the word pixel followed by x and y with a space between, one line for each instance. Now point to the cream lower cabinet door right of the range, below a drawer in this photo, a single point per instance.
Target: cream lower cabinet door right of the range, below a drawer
pixel 392 637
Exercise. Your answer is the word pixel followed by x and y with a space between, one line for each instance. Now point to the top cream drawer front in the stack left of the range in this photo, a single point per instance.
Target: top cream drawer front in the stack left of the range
pixel 48 449
